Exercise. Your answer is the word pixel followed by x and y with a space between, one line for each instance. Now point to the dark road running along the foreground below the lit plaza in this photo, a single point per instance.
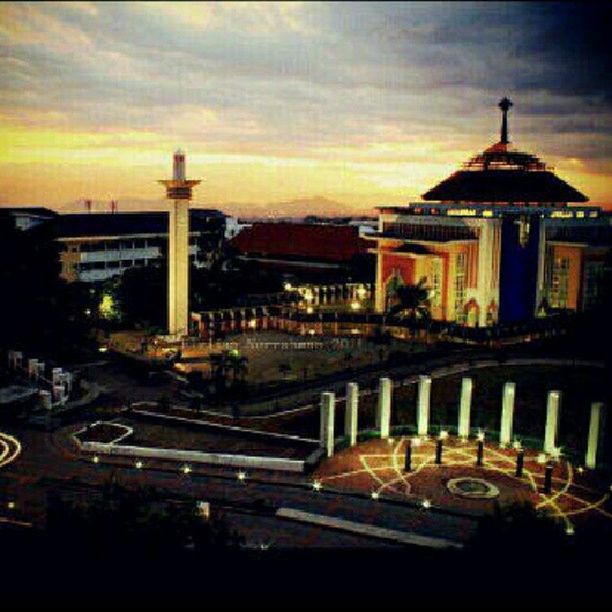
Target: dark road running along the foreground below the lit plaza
pixel 250 506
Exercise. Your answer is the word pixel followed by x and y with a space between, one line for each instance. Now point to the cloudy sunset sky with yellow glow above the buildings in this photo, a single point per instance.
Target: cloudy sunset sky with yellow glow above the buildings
pixel 333 105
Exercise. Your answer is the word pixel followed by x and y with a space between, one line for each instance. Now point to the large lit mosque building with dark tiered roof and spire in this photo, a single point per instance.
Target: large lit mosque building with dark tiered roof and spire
pixel 500 241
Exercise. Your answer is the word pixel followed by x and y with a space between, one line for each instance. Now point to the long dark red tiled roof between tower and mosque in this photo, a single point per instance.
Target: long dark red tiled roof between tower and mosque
pixel 316 242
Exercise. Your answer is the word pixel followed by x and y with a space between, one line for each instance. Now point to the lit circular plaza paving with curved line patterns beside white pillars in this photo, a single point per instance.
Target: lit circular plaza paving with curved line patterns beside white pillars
pixel 377 466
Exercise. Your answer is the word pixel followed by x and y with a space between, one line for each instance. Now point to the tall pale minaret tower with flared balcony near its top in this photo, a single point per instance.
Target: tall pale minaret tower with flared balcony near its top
pixel 178 190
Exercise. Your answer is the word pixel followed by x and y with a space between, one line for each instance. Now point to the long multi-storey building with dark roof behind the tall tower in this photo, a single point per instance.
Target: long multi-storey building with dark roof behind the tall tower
pixel 98 246
